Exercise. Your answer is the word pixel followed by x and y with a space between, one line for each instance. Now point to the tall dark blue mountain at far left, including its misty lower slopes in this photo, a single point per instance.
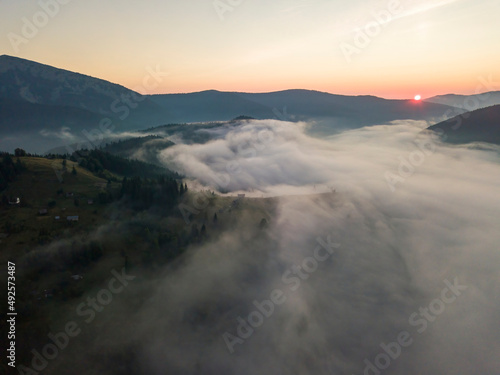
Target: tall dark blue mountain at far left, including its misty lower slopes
pixel 37 100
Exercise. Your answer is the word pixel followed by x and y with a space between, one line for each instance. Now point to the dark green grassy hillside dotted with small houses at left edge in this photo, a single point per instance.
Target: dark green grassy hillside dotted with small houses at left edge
pixel 37 186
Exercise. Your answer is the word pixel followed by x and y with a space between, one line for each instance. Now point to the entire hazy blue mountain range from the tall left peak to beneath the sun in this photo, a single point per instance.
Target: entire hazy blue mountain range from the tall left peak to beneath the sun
pixel 39 101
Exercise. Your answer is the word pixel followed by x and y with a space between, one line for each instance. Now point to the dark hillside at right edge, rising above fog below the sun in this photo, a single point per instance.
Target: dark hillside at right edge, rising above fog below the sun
pixel 482 125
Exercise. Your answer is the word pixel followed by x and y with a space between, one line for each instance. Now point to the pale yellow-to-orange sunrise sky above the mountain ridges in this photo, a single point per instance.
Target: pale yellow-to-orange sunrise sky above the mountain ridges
pixel 428 47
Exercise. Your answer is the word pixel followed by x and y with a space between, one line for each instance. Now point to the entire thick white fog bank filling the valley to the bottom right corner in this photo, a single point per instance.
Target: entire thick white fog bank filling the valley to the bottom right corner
pixel 417 226
